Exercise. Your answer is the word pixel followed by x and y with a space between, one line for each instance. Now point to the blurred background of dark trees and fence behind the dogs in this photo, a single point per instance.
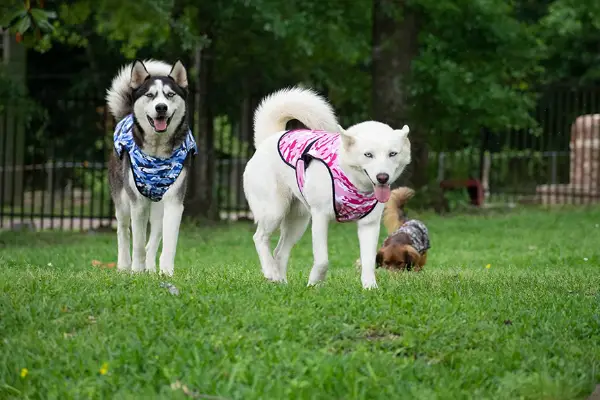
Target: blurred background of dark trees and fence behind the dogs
pixel 502 97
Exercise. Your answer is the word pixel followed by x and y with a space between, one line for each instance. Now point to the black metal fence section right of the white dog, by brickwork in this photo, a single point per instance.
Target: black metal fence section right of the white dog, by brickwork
pixel 557 161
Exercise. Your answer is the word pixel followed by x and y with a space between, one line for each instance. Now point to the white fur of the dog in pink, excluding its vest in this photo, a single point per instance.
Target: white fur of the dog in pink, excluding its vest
pixel 272 192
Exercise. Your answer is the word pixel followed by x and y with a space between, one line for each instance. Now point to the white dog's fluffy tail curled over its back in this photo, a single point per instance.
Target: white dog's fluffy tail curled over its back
pixel 305 105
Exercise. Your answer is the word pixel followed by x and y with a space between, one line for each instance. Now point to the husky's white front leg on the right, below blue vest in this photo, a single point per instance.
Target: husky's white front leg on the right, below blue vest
pixel 171 222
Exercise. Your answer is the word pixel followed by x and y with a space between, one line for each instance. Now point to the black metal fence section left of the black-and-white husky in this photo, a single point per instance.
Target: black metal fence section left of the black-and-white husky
pixel 52 165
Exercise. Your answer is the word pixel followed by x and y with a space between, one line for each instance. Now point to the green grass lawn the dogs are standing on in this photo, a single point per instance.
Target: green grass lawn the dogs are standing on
pixel 527 327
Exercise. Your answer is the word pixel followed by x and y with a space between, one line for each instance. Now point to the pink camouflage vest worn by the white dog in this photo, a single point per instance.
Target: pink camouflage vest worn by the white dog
pixel 297 148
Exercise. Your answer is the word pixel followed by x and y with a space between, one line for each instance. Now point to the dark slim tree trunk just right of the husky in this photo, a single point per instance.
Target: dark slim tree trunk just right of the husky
pixel 200 200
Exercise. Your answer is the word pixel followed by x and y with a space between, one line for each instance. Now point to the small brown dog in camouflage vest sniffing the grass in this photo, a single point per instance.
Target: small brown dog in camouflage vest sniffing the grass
pixel 407 243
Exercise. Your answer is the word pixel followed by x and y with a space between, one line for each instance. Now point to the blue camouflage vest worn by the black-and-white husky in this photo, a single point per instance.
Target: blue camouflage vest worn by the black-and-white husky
pixel 153 176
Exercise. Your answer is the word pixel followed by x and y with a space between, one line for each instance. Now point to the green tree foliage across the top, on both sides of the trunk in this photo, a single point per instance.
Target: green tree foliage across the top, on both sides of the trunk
pixel 479 63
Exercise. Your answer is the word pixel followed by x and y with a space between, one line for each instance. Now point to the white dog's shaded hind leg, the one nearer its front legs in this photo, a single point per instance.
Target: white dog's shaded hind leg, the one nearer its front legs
pixel 292 227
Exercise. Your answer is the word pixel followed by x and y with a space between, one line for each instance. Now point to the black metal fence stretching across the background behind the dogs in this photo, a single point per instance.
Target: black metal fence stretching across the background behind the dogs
pixel 53 175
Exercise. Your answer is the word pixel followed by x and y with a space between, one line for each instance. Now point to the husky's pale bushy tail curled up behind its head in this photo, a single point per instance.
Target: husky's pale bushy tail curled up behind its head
pixel 118 96
